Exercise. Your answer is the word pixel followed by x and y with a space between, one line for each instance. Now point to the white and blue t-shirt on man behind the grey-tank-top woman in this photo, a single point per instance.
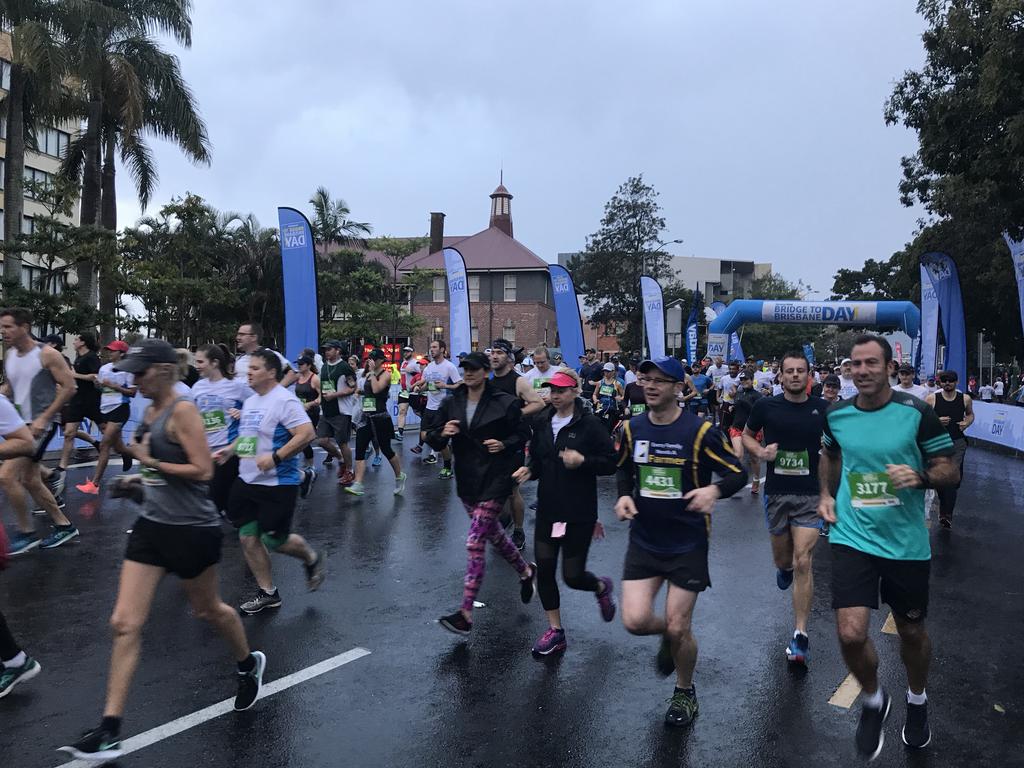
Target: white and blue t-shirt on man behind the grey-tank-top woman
pixel 267 420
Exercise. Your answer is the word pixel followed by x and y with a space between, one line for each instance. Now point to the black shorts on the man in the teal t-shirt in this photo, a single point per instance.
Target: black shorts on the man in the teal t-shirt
pixel 859 578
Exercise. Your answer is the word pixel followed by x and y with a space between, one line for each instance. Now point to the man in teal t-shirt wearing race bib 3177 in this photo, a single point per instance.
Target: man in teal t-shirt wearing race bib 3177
pixel 881 450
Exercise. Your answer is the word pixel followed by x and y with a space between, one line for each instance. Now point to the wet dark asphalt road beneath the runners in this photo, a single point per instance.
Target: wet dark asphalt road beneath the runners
pixel 425 698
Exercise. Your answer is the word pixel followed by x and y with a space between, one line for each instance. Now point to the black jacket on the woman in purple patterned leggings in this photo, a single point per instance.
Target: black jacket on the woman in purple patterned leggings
pixel 481 476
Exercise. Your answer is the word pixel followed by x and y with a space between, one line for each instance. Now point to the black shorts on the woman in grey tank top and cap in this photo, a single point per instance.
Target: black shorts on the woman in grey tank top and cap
pixel 184 550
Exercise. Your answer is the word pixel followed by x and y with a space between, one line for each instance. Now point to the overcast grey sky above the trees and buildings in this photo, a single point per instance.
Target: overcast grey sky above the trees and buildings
pixel 759 123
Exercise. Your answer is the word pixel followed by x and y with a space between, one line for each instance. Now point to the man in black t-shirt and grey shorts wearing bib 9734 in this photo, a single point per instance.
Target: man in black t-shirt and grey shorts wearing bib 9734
pixel 792 429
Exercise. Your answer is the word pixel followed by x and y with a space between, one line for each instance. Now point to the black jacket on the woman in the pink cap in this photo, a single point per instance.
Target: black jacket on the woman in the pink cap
pixel 571 495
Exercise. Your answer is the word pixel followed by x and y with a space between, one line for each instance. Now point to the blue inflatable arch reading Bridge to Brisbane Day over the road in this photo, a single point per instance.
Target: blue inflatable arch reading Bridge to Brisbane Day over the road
pixel 903 315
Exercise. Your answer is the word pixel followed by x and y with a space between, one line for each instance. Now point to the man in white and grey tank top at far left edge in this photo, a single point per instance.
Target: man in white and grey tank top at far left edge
pixel 39 385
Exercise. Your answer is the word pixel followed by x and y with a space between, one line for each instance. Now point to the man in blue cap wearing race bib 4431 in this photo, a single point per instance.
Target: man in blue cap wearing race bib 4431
pixel 667 497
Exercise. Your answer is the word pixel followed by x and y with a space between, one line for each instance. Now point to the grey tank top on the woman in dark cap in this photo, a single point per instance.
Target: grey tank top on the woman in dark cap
pixel 174 501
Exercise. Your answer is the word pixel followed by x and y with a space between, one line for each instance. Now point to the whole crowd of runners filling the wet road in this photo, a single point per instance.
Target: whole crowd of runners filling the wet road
pixel 842 454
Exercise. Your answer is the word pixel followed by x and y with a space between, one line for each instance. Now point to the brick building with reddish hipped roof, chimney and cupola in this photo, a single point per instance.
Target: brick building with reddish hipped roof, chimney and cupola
pixel 509 285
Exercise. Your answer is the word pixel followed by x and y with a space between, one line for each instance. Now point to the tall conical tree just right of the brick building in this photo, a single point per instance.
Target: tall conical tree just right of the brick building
pixel 627 245
